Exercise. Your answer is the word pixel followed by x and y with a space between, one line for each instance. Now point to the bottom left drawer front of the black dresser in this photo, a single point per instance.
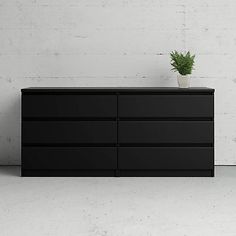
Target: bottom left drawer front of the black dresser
pixel 62 158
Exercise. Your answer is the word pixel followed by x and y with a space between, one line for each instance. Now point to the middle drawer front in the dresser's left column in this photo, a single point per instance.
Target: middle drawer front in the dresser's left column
pixel 69 132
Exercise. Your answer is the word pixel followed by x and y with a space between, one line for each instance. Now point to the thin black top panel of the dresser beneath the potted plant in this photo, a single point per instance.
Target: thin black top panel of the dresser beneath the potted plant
pixel 119 89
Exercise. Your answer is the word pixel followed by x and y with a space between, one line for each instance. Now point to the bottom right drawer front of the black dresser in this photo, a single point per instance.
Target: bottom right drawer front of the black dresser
pixel 171 158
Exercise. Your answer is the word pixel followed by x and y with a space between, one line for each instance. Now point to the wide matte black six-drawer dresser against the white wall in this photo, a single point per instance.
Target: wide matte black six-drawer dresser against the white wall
pixel 117 132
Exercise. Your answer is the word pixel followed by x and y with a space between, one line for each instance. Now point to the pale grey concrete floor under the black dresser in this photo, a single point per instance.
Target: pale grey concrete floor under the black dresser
pixel 118 206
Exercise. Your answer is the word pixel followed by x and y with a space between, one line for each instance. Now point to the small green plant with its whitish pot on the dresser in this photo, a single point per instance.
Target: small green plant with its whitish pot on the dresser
pixel 183 63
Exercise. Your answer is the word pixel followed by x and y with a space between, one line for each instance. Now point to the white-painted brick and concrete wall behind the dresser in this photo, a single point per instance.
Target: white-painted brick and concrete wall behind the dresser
pixel 115 43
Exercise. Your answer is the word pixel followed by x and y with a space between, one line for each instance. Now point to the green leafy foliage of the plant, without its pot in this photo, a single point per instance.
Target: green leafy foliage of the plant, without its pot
pixel 183 63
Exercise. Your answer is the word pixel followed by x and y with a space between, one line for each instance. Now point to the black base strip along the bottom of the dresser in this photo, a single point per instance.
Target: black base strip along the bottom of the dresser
pixel 120 173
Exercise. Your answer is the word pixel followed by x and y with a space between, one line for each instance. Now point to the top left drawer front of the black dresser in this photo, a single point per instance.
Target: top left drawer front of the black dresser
pixel 69 106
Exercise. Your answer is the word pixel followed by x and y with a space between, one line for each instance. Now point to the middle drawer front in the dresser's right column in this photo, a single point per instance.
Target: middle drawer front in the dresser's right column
pixel 148 132
